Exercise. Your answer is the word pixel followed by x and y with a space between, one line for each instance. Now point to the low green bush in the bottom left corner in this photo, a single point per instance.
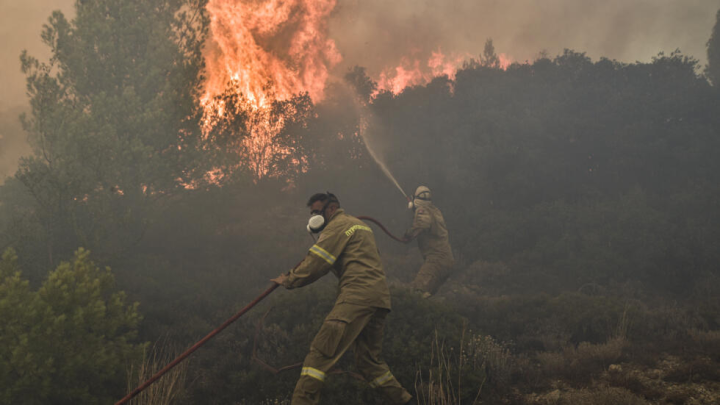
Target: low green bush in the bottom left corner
pixel 67 342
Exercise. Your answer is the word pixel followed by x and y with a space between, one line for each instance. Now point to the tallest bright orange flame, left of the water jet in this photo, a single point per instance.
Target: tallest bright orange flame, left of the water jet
pixel 265 51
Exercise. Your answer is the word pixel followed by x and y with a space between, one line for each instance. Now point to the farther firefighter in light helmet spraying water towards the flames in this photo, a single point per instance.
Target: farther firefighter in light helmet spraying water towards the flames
pixel 431 232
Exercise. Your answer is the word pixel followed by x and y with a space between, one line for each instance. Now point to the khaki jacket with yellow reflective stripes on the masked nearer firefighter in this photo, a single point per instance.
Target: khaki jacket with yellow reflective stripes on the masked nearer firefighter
pixel 347 248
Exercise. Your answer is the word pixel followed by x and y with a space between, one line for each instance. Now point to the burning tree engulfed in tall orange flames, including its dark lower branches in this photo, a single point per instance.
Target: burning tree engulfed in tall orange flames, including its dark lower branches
pixel 267 62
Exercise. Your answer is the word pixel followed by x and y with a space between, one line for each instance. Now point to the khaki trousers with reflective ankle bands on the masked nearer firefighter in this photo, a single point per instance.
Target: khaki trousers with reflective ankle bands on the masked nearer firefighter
pixel 348 326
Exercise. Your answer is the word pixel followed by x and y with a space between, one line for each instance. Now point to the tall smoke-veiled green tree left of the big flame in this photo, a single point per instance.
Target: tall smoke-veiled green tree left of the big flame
pixel 114 125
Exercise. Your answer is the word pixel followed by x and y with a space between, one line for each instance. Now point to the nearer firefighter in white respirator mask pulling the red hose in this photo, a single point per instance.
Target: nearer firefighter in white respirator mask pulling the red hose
pixel 347 248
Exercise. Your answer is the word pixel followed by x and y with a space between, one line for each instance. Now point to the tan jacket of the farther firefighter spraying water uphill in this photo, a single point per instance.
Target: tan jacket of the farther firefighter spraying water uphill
pixel 431 232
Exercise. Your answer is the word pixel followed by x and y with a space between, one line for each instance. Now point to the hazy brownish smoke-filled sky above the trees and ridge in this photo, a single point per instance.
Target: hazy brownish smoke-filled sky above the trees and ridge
pixel 378 33
